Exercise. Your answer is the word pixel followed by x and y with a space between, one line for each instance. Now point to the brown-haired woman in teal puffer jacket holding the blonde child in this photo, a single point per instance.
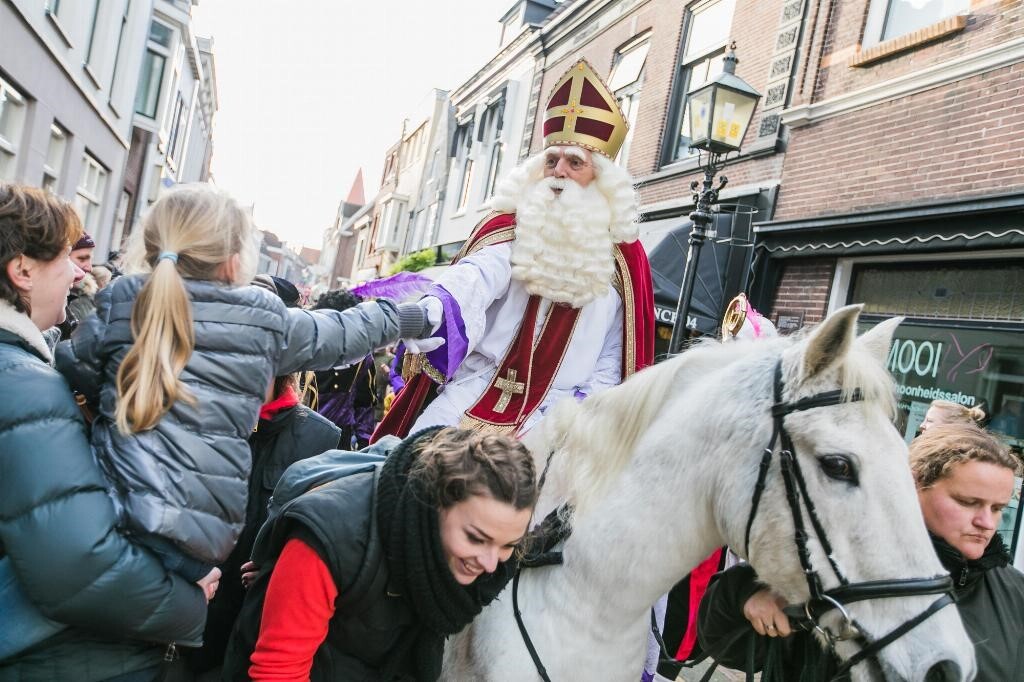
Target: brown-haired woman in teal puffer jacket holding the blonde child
pixel 59 530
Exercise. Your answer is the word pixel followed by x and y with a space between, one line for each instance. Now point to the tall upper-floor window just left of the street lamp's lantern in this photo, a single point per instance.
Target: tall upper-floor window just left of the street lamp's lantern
pixel 707 34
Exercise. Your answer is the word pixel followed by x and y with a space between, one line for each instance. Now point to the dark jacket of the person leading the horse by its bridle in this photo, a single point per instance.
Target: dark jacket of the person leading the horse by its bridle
pixel 990 599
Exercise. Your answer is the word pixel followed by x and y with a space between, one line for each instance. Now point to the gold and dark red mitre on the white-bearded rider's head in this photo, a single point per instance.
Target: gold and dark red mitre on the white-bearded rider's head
pixel 583 112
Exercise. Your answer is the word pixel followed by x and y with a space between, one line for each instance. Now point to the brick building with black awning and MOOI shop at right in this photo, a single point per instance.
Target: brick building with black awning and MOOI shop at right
pixel 903 189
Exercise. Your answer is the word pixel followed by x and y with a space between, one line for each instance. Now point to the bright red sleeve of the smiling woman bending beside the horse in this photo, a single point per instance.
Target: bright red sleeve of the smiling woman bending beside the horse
pixel 298 607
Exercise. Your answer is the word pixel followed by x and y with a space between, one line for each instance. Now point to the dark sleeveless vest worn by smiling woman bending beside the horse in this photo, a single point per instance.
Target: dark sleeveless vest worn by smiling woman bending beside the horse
pixel 338 521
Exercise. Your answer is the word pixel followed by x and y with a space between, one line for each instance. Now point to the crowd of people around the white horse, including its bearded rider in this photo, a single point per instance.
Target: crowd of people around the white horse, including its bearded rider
pixel 204 479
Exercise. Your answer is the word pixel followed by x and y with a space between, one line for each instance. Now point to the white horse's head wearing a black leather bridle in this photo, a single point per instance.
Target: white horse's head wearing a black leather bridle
pixel 850 467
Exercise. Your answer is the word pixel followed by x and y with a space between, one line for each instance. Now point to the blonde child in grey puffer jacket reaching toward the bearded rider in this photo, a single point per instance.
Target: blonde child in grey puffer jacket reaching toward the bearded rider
pixel 179 360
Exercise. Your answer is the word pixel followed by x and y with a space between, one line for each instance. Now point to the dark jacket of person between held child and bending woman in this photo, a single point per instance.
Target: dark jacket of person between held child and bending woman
pixel 290 436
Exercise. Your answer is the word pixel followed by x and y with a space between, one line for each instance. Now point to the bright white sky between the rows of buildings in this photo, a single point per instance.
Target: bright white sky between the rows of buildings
pixel 313 91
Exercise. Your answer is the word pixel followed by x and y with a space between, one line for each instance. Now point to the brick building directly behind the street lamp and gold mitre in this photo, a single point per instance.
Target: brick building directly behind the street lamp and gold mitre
pixel 652 54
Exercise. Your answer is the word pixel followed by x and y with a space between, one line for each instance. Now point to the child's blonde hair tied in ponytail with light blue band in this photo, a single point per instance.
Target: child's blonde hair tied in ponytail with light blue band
pixel 193 232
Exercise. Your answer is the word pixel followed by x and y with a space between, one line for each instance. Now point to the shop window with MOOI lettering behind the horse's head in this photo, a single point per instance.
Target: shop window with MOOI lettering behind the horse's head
pixel 963 344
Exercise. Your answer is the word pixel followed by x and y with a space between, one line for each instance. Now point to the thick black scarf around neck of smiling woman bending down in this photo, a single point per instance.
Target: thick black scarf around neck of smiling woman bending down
pixel 410 531
